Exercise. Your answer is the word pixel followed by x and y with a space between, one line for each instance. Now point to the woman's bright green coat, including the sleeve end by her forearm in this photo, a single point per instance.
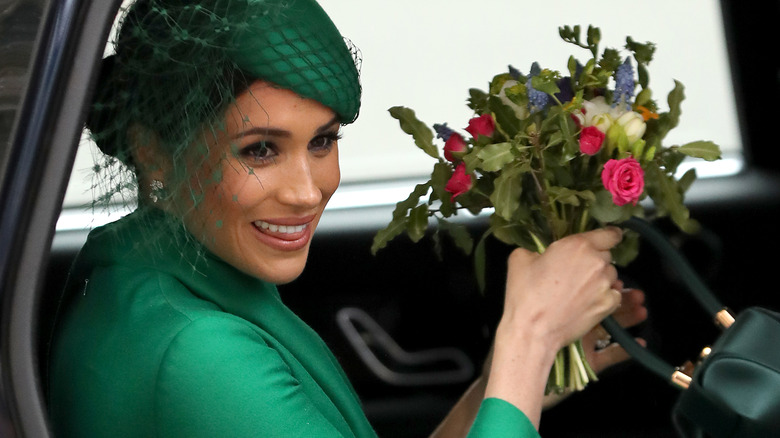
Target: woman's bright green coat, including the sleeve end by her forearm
pixel 159 339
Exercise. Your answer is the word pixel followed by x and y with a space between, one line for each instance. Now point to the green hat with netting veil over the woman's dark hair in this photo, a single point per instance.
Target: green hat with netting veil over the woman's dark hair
pixel 178 65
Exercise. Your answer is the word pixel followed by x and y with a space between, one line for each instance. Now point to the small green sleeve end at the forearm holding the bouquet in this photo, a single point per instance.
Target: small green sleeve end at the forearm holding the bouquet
pixel 498 419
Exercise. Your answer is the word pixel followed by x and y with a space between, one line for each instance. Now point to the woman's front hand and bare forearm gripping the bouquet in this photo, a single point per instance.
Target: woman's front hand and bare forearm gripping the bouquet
pixel 551 300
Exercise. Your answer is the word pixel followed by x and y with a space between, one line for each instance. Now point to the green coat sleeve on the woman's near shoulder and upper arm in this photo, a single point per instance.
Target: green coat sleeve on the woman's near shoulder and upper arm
pixel 219 378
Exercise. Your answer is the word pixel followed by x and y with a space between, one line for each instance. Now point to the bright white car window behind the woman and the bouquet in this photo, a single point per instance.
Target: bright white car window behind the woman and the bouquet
pixel 426 55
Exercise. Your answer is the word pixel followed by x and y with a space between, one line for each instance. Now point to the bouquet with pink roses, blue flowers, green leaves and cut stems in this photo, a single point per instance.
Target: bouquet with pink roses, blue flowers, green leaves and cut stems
pixel 551 154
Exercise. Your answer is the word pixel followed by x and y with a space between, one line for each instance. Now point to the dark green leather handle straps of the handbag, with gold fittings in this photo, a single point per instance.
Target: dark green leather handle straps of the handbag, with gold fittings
pixel 695 285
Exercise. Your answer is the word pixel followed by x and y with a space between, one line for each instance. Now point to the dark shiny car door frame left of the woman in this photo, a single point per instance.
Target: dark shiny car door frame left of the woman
pixel 35 172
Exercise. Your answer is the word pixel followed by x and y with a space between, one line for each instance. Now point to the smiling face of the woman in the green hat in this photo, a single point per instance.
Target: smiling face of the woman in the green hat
pixel 266 181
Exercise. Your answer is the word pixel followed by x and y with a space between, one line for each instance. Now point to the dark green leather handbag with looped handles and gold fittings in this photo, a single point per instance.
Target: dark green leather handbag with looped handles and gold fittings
pixel 734 390
